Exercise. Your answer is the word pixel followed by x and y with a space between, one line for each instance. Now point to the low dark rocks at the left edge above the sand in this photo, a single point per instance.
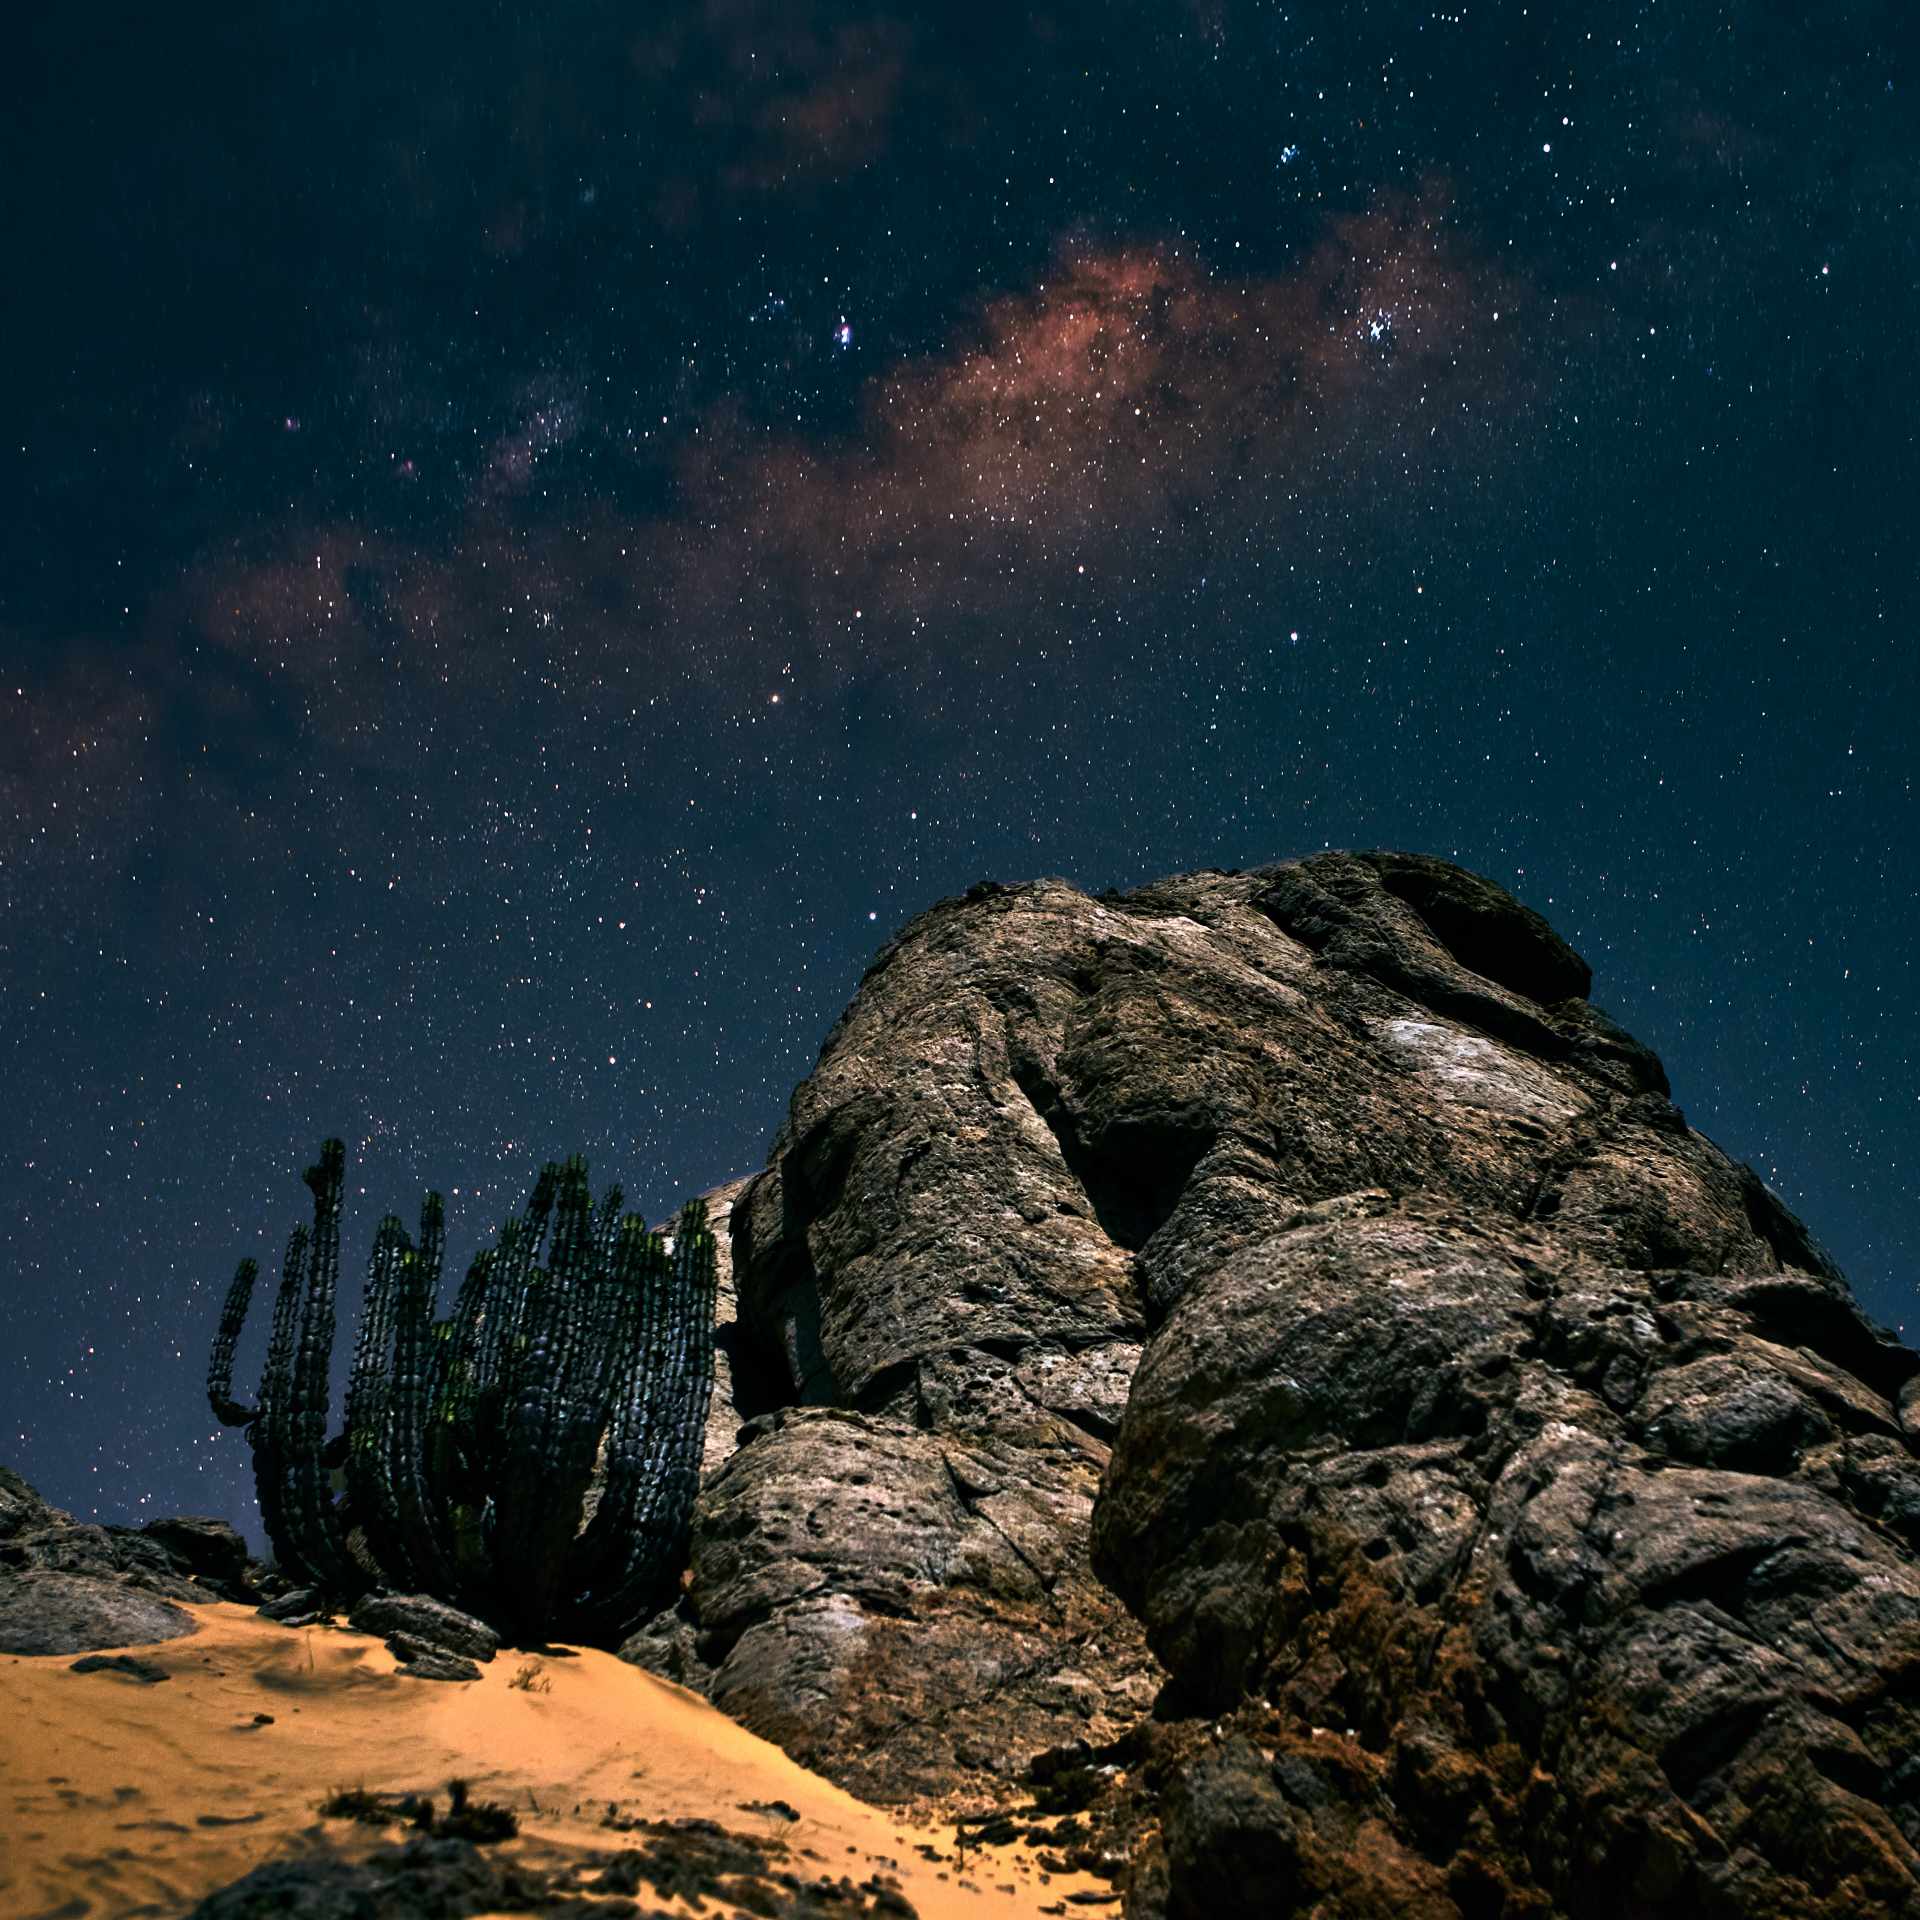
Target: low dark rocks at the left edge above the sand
pixel 68 1587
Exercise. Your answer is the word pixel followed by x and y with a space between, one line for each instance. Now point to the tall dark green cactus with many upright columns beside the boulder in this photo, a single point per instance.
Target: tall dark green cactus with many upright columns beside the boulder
pixel 469 1443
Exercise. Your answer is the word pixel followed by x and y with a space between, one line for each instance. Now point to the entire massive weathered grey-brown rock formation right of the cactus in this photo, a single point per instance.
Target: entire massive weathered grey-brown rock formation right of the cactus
pixel 1520 1508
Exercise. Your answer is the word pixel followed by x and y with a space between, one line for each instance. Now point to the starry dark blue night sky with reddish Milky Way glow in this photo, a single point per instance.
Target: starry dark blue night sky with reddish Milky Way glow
pixel 535 537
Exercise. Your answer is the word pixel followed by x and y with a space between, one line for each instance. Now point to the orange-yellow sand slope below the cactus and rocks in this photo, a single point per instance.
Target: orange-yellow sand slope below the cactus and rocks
pixel 126 1798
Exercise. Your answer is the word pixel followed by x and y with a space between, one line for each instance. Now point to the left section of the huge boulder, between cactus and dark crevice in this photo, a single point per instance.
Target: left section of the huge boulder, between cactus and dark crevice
pixel 932 1353
